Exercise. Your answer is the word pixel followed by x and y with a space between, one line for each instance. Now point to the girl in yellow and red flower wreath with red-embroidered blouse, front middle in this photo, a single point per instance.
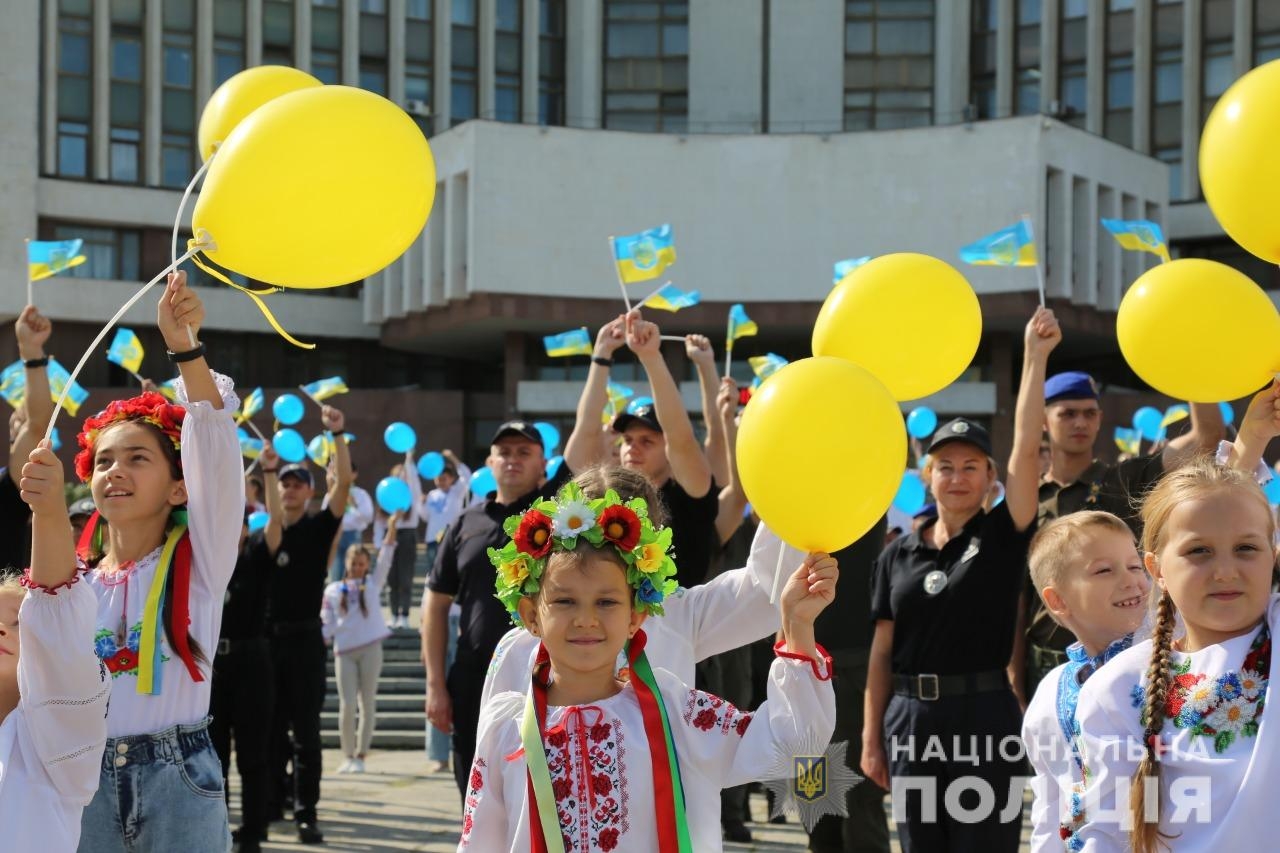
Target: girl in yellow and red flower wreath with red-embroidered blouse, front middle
pixel 589 759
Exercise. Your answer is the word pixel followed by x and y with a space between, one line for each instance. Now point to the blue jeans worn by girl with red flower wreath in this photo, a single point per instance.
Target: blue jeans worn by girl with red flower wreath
pixel 159 793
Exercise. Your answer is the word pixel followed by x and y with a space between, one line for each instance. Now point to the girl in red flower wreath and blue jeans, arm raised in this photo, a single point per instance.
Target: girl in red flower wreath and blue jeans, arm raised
pixel 161 551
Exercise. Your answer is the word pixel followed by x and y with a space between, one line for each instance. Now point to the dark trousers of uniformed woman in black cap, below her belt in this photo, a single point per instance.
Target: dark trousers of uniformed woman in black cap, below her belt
pixel 986 718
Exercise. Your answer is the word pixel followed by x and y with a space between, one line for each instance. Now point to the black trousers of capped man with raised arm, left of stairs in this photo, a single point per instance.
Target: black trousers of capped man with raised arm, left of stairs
pixel 300 686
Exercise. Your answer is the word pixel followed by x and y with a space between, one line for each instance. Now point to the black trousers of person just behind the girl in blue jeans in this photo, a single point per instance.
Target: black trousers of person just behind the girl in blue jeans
pixel 244 695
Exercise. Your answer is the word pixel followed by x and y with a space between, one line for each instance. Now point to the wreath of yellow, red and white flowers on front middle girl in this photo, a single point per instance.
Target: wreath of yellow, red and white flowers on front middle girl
pixel 557 524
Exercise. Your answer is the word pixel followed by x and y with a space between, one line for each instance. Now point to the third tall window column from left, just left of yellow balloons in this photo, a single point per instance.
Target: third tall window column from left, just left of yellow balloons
pixel 179 95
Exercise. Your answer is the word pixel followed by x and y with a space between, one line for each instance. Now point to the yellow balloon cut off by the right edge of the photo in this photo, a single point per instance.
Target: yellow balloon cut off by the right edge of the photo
pixel 1238 165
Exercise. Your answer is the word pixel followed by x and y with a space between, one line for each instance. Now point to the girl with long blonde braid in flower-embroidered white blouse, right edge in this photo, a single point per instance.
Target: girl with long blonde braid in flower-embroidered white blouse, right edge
pixel 1191 700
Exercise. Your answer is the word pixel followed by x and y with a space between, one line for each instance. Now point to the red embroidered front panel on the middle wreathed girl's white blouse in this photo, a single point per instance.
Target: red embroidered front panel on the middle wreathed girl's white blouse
pixel 586 756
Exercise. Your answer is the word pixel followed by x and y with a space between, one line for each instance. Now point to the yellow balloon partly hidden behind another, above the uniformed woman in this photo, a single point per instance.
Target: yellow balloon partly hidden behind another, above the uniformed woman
pixel 913 321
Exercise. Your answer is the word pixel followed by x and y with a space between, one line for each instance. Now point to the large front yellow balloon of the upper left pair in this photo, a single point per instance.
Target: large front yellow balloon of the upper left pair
pixel 318 189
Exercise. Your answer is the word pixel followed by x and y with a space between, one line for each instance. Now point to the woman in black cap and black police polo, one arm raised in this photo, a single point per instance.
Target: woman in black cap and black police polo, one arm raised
pixel 940 711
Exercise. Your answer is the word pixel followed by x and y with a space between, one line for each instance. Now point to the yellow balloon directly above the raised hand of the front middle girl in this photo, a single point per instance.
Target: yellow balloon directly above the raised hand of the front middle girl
pixel 797 436
